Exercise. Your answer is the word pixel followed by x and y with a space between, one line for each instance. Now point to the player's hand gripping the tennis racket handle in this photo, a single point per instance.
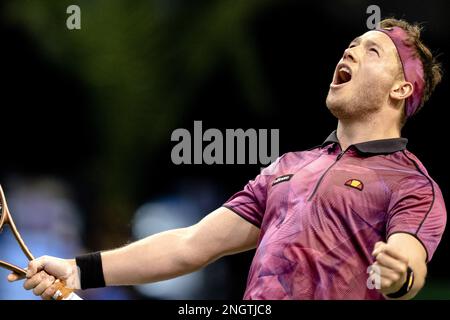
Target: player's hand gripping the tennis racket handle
pixel 44 272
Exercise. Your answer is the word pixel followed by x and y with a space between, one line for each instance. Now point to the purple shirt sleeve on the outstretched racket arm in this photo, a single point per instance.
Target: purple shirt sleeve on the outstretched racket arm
pixel 250 203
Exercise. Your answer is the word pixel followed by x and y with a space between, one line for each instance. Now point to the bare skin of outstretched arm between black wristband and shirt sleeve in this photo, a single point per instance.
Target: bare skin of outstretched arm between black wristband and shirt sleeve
pixel 176 252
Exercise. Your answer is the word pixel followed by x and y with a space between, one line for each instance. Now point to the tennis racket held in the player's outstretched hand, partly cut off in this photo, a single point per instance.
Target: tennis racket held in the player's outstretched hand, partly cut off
pixel 62 292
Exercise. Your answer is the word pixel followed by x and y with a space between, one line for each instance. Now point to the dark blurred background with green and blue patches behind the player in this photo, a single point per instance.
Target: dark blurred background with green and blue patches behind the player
pixel 87 117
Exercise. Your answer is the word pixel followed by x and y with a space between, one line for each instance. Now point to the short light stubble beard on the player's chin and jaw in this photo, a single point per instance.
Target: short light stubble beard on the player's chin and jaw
pixel 356 101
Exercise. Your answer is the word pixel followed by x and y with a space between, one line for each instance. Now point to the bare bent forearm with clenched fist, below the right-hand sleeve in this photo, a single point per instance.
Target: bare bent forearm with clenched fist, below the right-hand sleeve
pixel 393 258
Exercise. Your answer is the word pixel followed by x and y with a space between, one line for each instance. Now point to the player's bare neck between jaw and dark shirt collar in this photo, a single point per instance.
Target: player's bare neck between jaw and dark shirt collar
pixel 352 132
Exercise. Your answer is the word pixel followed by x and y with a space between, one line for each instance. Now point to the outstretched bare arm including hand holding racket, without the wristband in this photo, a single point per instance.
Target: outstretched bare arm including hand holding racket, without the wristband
pixel 158 257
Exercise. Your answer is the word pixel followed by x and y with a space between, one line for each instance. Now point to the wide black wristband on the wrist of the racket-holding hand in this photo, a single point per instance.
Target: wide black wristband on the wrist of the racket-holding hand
pixel 91 270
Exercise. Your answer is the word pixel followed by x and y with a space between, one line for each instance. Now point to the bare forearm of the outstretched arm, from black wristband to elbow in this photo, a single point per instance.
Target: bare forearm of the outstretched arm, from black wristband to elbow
pixel 158 257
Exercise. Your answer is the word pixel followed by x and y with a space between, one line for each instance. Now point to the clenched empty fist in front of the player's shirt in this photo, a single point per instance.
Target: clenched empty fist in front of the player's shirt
pixel 389 269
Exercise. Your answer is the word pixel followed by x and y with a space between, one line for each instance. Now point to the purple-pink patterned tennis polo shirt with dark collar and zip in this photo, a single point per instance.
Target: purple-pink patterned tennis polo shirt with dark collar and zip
pixel 321 211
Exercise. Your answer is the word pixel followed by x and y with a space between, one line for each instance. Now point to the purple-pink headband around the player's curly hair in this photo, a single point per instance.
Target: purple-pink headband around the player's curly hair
pixel 412 67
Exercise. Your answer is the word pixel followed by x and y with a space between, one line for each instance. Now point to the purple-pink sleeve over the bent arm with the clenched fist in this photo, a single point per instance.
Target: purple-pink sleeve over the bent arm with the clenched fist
pixel 418 208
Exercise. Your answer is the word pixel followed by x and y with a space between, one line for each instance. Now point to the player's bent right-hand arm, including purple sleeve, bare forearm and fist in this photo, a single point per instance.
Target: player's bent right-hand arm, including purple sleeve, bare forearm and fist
pixel 415 225
